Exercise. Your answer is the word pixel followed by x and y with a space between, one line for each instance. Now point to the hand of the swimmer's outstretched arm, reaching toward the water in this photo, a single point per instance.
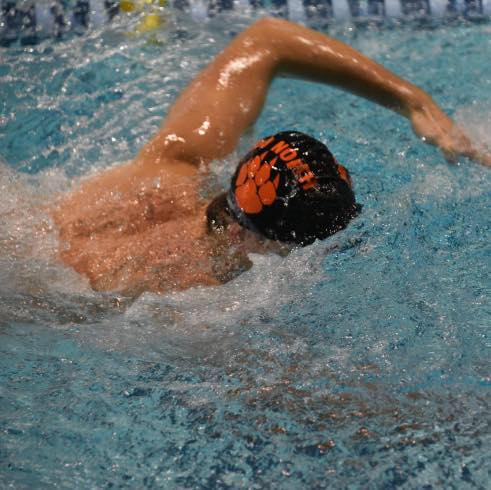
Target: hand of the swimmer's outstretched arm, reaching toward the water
pixel 436 128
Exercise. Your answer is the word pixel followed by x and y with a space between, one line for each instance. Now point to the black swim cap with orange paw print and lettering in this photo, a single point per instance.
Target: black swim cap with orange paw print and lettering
pixel 290 188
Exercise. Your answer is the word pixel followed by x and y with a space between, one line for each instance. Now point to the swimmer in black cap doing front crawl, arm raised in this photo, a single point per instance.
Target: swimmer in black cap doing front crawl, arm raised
pixel 145 225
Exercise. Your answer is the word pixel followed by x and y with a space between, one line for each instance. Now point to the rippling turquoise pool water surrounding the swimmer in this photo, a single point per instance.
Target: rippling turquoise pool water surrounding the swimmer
pixel 358 362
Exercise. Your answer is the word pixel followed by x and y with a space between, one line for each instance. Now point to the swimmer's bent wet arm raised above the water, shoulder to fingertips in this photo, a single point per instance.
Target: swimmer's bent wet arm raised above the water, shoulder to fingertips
pixel 226 98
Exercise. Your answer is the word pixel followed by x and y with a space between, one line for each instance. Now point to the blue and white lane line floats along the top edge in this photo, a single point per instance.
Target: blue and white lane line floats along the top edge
pixel 28 21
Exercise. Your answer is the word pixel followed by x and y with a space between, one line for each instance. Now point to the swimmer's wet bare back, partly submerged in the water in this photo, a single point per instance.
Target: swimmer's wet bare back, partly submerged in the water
pixel 137 227
